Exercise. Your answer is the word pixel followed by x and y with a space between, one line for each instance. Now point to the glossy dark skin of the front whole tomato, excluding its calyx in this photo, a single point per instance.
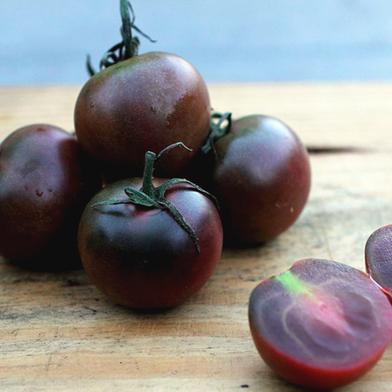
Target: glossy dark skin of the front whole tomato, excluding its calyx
pixel 142 258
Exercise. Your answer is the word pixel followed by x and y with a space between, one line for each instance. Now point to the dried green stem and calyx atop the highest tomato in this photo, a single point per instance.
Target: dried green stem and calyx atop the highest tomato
pixel 128 47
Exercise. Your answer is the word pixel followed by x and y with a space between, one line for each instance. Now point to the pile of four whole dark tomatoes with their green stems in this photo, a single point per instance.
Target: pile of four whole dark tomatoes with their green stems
pixel 141 190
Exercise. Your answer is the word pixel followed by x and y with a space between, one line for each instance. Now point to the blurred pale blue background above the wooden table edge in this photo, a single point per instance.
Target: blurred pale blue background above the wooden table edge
pixel 45 42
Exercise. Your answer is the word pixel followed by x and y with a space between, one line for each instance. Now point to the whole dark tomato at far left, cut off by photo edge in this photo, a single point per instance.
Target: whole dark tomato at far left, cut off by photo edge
pixel 45 183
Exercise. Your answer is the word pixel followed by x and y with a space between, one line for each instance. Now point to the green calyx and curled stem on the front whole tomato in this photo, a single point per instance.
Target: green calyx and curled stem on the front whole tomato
pixel 150 196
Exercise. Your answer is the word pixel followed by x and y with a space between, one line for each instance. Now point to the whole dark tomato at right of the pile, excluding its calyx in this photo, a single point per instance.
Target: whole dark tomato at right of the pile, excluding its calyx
pixel 261 178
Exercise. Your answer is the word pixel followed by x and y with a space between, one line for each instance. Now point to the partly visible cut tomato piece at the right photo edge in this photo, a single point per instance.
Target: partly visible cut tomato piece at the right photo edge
pixel 378 256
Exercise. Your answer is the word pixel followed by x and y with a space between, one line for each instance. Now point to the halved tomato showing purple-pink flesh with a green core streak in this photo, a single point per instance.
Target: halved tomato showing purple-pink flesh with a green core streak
pixel 320 324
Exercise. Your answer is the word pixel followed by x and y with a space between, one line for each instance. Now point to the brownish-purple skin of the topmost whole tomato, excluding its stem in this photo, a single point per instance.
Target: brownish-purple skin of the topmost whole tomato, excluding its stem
pixel 144 103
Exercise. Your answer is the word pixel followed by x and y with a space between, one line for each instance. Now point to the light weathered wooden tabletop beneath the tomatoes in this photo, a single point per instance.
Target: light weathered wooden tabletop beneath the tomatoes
pixel 58 333
